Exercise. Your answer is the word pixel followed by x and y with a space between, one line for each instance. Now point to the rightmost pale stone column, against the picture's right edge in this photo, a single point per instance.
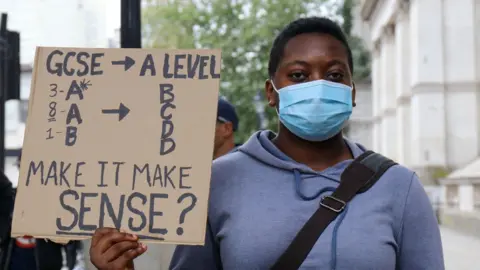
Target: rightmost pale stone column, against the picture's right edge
pixel 460 82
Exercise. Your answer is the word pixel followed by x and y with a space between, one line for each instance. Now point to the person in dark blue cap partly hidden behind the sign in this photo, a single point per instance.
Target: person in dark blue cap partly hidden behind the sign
pixel 227 124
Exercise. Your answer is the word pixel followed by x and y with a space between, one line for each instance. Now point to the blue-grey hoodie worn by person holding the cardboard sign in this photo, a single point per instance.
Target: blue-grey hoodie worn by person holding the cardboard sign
pixel 260 199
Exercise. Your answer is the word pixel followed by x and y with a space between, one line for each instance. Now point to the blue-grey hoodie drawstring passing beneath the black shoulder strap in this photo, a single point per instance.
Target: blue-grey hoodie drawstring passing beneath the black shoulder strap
pixel 298 180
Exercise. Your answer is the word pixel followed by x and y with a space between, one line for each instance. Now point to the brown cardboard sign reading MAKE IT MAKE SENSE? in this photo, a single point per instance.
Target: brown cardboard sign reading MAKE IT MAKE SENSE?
pixel 118 138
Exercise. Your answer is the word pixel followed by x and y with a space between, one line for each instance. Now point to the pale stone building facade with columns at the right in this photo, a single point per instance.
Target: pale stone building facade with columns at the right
pixel 425 82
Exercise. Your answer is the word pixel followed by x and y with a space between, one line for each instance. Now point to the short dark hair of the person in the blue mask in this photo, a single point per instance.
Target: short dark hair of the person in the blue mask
pixel 303 26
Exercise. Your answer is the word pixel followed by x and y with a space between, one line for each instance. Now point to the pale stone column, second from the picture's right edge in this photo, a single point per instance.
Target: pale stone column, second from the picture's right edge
pixel 428 146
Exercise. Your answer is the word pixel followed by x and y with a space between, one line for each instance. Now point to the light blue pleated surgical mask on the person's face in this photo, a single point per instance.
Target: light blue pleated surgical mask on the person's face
pixel 315 111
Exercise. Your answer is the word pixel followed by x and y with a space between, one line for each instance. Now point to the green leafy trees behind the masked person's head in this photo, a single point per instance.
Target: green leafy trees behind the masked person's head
pixel 244 30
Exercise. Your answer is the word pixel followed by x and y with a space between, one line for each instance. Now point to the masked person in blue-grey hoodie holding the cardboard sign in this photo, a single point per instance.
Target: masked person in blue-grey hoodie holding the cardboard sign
pixel 263 194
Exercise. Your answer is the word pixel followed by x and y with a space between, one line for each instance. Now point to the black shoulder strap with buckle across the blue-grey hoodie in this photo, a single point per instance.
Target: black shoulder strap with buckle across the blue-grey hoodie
pixel 358 177
